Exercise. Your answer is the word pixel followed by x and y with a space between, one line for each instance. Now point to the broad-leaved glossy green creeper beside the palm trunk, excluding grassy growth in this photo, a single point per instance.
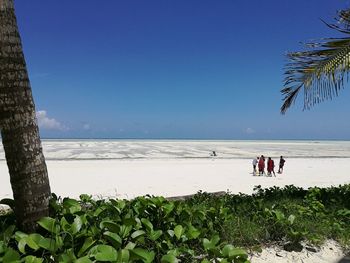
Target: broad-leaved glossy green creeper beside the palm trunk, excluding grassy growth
pixel 146 229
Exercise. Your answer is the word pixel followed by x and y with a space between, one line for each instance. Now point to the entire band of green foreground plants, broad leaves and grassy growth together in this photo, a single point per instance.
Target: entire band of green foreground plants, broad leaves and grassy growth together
pixel 204 228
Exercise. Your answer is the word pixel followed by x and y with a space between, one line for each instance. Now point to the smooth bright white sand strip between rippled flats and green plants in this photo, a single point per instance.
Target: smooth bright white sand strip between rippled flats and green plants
pixel 131 178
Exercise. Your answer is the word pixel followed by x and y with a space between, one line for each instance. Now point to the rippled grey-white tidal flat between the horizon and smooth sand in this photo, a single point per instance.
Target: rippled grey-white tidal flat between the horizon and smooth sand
pixel 183 149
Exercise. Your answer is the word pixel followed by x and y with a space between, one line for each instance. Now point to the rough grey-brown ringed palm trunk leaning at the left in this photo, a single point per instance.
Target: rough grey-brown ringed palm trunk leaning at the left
pixel 19 129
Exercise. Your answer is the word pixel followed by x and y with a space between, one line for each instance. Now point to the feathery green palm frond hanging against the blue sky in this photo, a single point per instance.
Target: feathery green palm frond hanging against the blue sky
pixel 319 72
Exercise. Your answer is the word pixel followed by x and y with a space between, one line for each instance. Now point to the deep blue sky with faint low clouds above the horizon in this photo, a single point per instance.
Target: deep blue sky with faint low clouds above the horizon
pixel 201 69
